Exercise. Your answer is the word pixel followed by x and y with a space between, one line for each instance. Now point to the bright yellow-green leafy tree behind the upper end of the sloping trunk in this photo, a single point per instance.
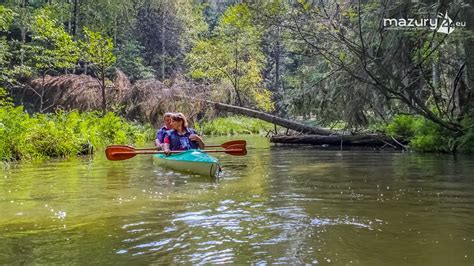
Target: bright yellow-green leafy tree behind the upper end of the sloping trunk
pixel 233 57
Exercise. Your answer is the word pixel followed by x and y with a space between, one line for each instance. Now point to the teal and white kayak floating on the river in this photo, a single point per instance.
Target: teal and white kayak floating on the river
pixel 190 161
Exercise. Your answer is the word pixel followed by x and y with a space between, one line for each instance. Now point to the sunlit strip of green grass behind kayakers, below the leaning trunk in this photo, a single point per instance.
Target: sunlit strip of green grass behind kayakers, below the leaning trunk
pixel 234 125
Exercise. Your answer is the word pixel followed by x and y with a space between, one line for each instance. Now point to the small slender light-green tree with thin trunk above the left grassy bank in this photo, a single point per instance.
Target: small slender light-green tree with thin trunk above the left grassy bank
pixel 98 51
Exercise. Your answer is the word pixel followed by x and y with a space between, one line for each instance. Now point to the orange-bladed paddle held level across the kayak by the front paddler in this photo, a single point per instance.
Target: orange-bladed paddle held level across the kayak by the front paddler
pixel 124 152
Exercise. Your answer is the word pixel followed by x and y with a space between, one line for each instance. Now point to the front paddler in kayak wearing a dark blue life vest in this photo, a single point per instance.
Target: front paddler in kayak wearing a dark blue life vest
pixel 180 137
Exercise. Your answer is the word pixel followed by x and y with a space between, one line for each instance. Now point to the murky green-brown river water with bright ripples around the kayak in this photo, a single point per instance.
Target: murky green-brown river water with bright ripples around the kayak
pixel 275 205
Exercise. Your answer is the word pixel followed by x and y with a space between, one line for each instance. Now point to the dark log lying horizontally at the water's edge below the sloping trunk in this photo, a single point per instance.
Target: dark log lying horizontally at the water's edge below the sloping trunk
pixel 341 140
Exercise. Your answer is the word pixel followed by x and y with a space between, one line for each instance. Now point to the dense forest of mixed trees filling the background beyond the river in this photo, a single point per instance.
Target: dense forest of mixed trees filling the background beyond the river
pixel 338 65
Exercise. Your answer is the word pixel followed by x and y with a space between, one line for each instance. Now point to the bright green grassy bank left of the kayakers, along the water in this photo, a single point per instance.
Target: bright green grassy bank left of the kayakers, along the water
pixel 24 136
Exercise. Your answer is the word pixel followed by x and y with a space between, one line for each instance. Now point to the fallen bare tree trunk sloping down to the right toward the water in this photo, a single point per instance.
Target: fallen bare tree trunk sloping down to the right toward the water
pixel 290 124
